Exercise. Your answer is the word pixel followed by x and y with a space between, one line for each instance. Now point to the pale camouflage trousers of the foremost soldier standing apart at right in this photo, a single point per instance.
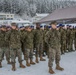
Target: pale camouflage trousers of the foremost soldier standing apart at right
pixel 54 54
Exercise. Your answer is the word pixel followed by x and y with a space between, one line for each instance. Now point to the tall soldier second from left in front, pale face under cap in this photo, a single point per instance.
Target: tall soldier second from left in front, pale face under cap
pixel 15 46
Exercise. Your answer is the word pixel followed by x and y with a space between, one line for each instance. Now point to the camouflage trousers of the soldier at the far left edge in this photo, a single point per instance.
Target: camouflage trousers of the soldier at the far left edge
pixel 5 51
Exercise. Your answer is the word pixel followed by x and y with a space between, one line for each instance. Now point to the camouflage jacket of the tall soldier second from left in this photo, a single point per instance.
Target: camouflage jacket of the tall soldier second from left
pixel 15 38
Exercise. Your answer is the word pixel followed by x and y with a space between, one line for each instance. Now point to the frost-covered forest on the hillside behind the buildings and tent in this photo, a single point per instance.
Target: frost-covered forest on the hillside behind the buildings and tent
pixel 31 7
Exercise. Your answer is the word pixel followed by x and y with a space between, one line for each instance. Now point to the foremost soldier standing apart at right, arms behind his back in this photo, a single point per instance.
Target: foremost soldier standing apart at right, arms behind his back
pixel 53 40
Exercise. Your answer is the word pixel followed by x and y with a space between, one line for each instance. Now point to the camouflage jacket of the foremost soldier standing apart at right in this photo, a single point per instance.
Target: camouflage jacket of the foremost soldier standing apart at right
pixel 53 38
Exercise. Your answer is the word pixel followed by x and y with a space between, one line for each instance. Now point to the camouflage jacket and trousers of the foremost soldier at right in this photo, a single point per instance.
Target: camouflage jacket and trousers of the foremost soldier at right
pixel 53 40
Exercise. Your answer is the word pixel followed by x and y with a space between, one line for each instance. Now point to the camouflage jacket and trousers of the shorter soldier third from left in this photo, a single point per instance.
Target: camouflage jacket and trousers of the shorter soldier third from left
pixel 28 43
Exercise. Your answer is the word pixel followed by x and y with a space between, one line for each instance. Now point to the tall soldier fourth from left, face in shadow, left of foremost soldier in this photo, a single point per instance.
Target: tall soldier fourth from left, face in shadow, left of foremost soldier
pixel 38 38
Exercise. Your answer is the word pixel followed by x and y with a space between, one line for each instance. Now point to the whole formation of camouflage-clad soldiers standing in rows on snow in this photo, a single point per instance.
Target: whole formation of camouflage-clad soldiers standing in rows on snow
pixel 52 41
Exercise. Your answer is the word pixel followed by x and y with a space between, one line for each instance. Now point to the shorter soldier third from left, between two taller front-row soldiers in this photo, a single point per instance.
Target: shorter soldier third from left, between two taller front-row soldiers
pixel 28 43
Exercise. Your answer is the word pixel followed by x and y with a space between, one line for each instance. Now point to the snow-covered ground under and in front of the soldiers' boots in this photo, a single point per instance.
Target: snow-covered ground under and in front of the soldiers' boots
pixel 68 61
